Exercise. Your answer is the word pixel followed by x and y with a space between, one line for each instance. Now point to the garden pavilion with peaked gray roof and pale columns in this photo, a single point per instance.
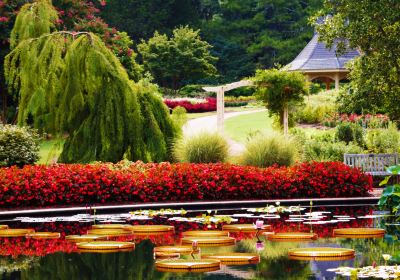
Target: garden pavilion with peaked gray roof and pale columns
pixel 317 61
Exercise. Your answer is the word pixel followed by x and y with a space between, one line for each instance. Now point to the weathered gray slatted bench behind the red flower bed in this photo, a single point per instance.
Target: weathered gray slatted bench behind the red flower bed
pixel 373 164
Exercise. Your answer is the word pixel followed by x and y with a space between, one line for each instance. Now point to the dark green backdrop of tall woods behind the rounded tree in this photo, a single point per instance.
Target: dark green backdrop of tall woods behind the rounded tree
pixel 245 34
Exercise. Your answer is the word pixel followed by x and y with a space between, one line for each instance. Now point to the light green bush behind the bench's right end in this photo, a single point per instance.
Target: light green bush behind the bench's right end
pixel 383 140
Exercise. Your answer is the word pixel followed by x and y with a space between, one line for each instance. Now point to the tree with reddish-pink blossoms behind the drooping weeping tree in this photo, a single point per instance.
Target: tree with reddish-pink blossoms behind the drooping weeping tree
pixel 72 15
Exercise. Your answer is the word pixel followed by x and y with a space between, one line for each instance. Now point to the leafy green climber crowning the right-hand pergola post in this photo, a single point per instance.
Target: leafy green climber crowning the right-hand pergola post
pixel 280 90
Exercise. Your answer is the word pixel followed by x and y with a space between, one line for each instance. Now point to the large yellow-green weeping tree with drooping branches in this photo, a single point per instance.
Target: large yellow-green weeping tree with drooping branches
pixel 71 83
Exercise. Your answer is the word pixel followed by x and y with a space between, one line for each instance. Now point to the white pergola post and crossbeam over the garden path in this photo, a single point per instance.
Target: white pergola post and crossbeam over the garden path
pixel 220 90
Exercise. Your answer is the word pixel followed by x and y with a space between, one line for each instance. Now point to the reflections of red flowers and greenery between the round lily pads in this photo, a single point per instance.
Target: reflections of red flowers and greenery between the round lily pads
pixel 56 259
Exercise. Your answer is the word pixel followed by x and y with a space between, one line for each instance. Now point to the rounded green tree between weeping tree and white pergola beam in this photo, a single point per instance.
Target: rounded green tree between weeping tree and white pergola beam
pixel 184 56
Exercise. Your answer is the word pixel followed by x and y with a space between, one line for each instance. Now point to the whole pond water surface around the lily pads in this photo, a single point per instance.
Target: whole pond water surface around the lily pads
pixel 26 258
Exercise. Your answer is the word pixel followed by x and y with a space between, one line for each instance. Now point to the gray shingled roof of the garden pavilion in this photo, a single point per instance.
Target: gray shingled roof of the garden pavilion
pixel 316 56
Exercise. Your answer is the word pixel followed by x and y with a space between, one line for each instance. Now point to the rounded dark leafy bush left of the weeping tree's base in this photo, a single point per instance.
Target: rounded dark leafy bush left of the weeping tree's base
pixel 18 145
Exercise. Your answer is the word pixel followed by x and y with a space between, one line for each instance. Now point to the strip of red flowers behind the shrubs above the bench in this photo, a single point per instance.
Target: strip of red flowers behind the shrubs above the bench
pixel 370 121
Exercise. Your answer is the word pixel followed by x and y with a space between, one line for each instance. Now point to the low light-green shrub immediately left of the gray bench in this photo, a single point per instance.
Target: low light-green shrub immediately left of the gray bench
pixel 317 150
